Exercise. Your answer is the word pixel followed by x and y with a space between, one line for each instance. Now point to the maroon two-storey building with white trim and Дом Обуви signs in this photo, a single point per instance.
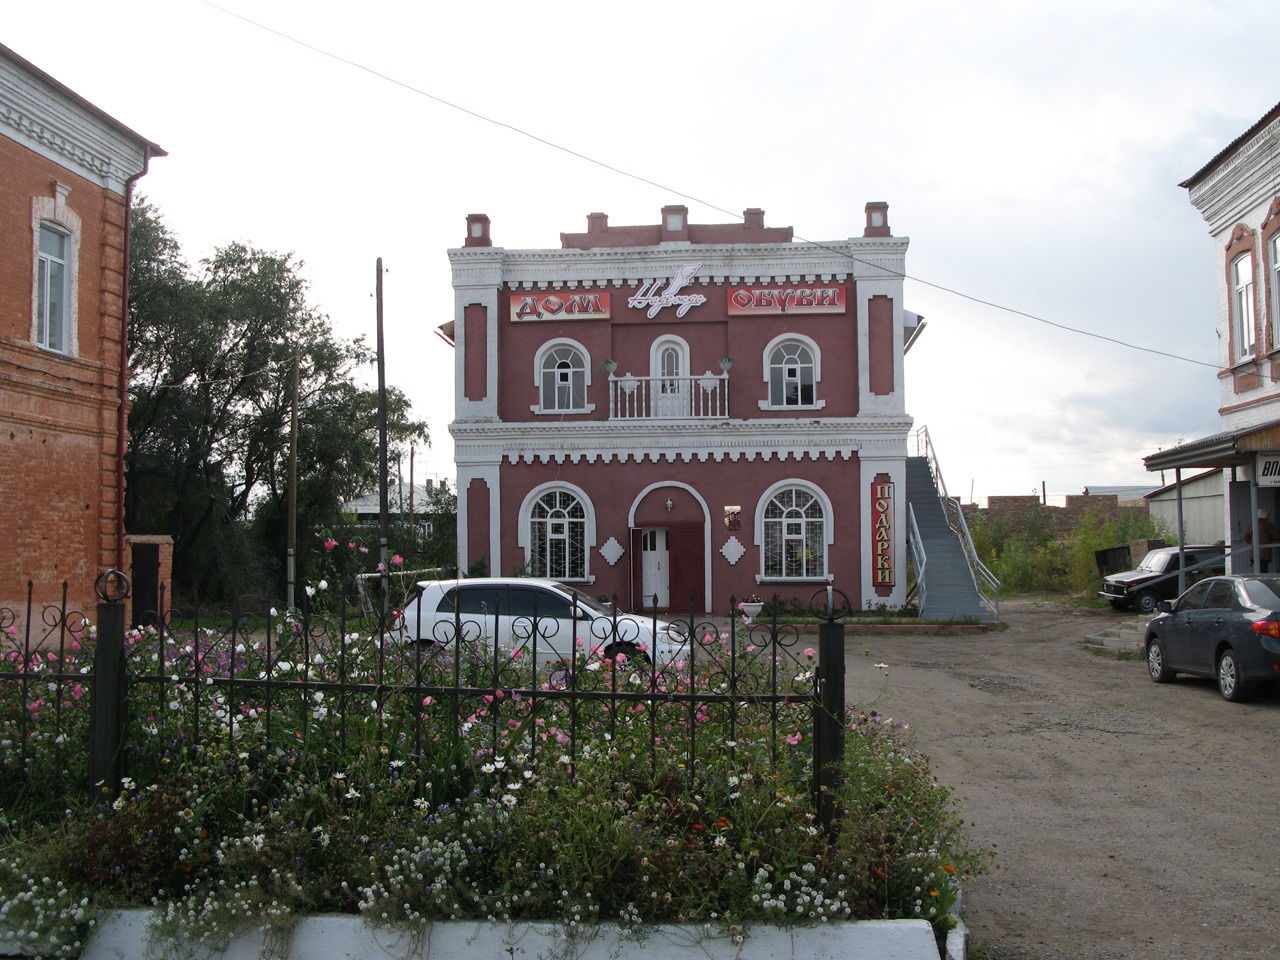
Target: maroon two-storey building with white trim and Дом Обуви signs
pixel 679 414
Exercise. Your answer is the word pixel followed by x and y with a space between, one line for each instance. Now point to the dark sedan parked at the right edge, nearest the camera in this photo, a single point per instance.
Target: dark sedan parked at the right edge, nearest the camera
pixel 1224 628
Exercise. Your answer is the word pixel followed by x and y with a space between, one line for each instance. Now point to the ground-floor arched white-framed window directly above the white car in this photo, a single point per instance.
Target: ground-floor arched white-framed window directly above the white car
pixel 557 533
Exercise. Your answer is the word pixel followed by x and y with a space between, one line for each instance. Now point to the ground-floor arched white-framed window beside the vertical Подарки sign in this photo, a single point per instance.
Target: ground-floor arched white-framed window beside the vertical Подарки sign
pixel 794 529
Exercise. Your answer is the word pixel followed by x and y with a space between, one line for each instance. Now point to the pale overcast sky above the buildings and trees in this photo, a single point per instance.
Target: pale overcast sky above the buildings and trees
pixel 1030 150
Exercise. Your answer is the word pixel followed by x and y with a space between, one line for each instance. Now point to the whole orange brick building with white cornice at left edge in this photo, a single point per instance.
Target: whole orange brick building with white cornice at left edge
pixel 68 175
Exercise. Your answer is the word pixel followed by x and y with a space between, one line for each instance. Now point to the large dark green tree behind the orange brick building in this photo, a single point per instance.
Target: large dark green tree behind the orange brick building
pixel 212 358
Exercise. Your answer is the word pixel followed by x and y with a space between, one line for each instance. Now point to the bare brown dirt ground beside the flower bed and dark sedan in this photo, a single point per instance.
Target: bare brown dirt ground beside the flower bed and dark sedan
pixel 1130 820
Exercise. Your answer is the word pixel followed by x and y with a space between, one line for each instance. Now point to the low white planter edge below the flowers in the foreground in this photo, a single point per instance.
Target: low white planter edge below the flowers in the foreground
pixel 124 936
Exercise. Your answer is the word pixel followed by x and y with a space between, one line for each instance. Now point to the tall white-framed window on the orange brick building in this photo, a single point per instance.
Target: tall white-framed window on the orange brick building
pixel 56 241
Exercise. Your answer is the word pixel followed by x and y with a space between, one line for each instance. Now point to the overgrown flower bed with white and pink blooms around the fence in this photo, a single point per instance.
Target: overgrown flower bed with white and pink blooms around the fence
pixel 410 813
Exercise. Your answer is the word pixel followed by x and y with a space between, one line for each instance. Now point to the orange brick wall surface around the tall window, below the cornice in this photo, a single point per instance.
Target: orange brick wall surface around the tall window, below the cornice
pixel 58 414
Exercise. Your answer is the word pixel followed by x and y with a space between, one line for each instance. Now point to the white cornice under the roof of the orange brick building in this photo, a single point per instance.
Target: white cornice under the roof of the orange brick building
pixel 52 121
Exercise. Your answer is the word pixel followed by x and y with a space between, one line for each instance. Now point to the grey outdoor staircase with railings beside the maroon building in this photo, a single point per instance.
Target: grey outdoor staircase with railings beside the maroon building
pixel 950 580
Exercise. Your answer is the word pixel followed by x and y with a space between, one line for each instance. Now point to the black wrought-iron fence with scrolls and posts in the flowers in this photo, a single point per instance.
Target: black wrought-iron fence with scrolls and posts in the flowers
pixel 97 702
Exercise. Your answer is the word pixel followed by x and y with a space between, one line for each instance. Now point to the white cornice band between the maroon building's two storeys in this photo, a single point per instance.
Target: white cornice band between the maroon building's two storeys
pixel 595 442
